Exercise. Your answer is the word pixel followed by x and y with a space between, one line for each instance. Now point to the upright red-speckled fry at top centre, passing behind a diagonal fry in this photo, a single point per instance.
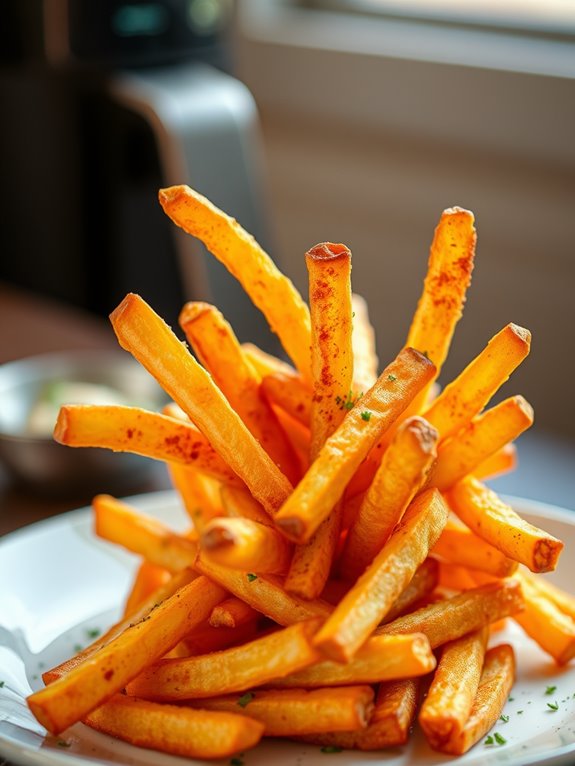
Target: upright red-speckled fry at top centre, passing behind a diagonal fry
pixel 329 269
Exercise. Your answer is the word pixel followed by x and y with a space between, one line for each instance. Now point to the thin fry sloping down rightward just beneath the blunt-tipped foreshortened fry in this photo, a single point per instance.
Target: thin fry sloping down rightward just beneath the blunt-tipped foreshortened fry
pixel 264 593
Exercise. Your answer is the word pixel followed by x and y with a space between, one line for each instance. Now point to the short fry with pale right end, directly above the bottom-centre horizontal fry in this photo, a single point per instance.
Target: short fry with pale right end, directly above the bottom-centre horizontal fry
pixel 378 660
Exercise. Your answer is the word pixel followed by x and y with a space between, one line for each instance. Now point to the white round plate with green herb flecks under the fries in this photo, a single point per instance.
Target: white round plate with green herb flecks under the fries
pixel 58 583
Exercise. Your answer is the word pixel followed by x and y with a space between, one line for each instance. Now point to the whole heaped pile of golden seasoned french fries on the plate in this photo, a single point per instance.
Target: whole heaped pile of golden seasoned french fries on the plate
pixel 346 569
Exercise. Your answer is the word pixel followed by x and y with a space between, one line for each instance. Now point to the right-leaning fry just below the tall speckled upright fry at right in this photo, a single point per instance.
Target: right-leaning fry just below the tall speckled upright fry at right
pixel 466 396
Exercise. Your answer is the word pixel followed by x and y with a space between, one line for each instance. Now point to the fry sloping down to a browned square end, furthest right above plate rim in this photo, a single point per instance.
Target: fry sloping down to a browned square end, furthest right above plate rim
pixel 481 509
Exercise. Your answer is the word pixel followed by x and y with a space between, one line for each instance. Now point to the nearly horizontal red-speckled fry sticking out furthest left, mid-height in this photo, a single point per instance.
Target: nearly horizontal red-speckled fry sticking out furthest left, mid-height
pixel 130 429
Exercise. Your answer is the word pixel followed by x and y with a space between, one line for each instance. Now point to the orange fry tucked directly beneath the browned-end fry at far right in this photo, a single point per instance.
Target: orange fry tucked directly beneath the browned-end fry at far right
pixel 459 545
